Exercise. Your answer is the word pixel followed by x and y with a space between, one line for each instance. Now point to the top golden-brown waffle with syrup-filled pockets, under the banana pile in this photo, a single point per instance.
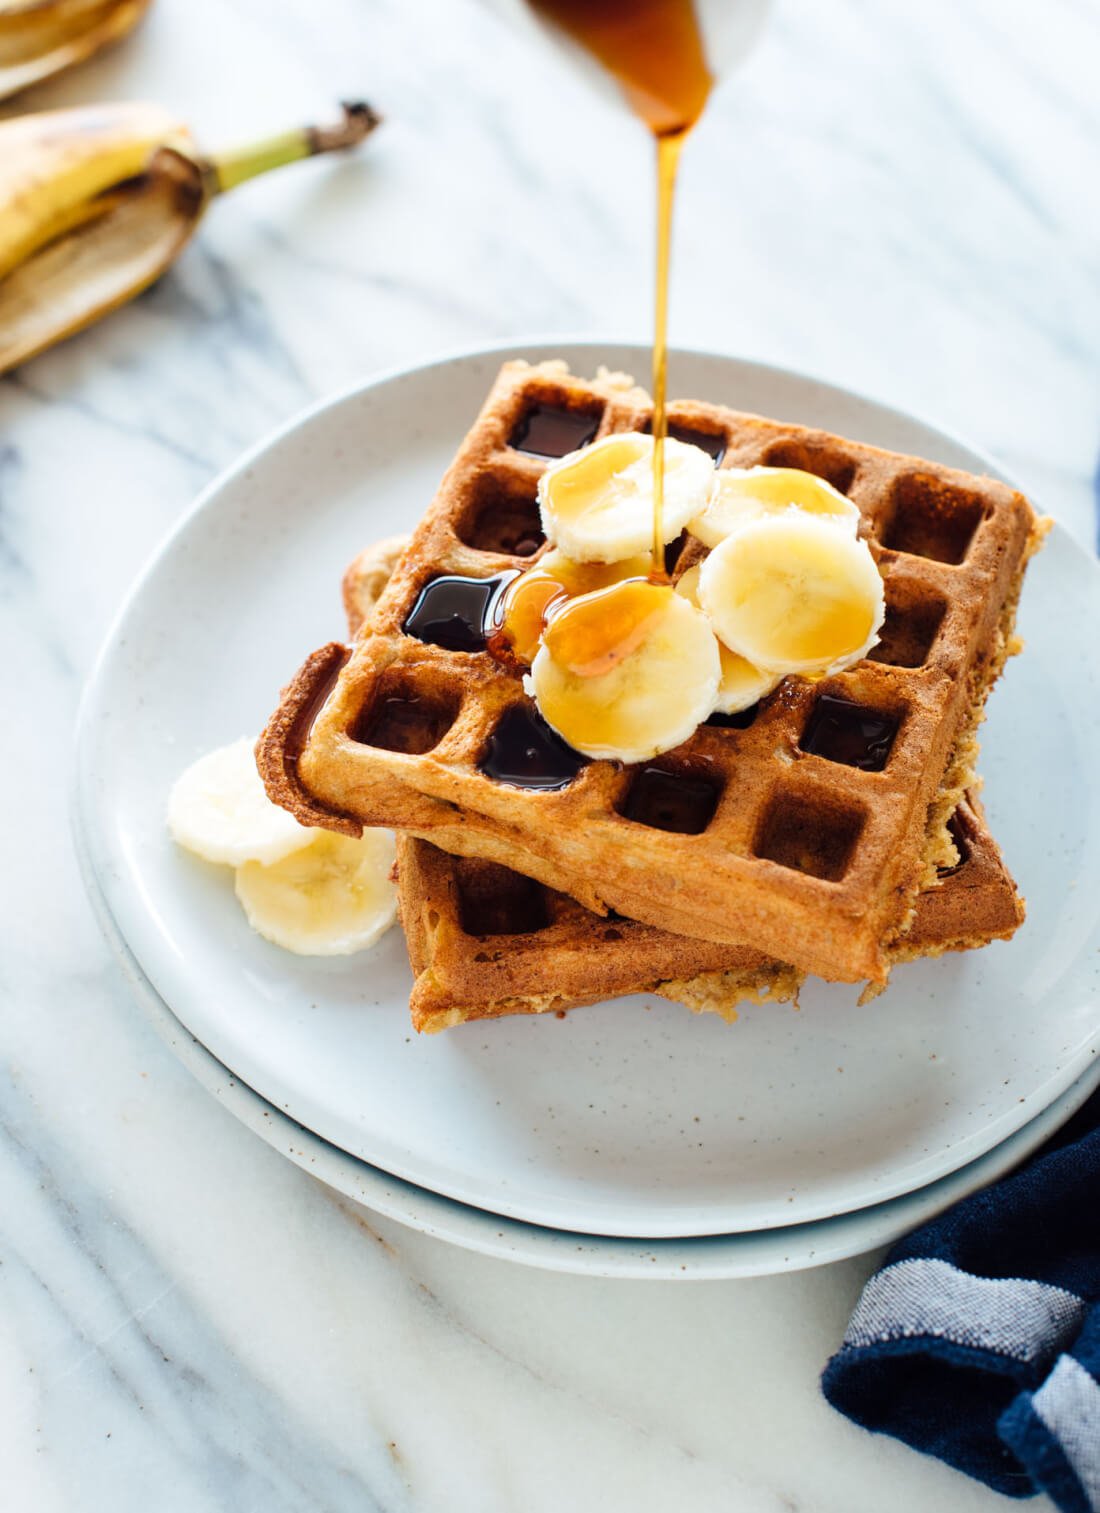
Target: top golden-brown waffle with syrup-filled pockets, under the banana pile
pixel 815 862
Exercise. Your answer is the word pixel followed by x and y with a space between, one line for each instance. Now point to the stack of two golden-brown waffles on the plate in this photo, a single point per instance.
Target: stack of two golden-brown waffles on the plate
pixel 833 830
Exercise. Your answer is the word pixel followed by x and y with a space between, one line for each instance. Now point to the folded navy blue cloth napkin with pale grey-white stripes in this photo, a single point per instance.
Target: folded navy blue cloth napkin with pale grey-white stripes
pixel 978 1341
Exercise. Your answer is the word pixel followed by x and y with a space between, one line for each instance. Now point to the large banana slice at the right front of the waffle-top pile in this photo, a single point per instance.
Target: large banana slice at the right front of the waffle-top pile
pixel 794 594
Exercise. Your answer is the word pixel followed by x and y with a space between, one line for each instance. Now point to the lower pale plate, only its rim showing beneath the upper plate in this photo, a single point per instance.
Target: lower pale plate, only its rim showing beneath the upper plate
pixel 709 1258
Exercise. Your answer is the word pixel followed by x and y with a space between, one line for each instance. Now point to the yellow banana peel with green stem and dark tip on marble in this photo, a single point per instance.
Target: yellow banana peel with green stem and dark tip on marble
pixel 98 202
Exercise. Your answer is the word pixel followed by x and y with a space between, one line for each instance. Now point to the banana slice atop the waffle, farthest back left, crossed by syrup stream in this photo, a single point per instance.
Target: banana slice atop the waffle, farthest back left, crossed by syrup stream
pixel 598 505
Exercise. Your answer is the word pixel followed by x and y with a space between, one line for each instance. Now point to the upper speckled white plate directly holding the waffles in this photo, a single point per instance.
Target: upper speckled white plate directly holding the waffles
pixel 633 1119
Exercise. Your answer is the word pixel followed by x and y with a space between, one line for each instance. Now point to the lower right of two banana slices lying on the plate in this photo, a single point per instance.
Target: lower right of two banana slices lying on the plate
pixel 331 899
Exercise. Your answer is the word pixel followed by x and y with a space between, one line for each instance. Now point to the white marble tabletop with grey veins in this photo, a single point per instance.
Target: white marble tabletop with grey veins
pixel 896 197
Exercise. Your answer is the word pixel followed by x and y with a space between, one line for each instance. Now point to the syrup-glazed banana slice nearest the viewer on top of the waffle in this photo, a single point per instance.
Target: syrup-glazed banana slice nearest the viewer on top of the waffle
pixel 627 673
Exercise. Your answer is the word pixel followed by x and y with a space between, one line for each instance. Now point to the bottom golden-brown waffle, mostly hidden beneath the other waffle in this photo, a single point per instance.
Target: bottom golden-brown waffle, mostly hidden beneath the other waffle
pixel 486 942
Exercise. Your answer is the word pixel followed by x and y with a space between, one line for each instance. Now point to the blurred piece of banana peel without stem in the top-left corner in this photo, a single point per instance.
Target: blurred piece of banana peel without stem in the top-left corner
pixel 39 39
